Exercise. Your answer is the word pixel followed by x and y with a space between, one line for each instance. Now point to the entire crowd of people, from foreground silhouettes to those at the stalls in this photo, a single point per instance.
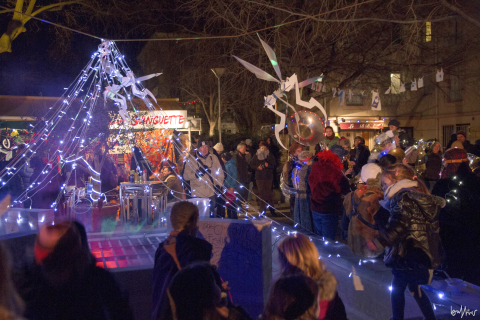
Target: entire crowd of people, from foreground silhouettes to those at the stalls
pixel 419 212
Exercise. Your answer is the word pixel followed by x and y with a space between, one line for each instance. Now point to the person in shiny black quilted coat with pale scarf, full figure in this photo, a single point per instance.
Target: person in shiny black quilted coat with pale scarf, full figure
pixel 411 237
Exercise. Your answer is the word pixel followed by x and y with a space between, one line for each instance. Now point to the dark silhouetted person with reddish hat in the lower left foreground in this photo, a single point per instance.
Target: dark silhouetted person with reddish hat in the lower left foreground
pixel 63 281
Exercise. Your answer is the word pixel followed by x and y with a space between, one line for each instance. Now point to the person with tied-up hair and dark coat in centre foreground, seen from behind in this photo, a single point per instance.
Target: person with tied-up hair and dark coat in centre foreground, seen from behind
pixel 179 250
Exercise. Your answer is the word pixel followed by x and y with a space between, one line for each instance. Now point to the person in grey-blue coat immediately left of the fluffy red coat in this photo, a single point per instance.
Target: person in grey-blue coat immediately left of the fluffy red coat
pixel 301 171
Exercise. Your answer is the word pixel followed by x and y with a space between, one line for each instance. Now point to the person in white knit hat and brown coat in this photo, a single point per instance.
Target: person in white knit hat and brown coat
pixel 364 215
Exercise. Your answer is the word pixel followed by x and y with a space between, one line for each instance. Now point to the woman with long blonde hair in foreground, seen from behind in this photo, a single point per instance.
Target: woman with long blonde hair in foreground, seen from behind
pixel 298 255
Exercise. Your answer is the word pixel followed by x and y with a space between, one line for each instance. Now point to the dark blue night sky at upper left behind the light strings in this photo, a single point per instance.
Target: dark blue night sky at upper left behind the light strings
pixel 37 67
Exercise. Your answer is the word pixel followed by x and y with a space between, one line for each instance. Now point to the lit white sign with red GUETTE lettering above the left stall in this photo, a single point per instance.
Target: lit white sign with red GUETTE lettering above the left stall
pixel 168 119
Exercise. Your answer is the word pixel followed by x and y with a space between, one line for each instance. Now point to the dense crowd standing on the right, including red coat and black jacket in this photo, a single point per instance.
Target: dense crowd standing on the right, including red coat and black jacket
pixel 414 209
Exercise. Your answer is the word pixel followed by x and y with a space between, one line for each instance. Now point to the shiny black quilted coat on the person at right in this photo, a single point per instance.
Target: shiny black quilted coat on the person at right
pixel 412 232
